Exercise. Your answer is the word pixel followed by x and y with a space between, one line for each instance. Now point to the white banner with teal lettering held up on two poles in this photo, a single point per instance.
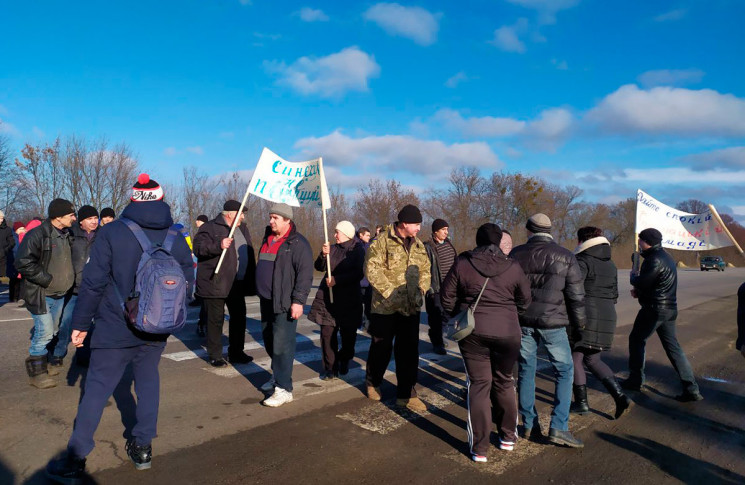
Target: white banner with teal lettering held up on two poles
pixel 293 183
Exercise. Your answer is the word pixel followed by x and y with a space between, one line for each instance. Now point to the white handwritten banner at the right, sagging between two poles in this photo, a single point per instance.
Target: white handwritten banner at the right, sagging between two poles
pixel 680 230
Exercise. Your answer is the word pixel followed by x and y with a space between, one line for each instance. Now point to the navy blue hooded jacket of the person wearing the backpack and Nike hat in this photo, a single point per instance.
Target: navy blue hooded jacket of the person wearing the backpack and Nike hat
pixel 114 257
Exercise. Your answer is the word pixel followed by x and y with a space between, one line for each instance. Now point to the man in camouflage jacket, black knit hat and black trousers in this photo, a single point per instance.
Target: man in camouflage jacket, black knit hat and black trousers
pixel 398 269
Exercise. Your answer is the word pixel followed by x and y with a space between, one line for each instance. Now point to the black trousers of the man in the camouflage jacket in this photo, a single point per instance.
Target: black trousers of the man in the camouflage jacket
pixel 399 334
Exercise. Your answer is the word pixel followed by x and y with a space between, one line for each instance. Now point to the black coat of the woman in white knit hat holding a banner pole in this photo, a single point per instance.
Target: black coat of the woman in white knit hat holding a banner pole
pixel 347 261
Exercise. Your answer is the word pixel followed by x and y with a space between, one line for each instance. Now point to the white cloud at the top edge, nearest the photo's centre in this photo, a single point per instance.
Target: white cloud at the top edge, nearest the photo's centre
pixel 413 23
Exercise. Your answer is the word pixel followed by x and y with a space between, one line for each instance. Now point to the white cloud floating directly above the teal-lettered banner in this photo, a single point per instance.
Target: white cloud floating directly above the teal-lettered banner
pixel 329 77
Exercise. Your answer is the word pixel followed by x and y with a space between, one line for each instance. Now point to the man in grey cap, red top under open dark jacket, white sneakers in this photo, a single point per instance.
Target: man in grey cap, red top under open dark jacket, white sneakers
pixel 284 275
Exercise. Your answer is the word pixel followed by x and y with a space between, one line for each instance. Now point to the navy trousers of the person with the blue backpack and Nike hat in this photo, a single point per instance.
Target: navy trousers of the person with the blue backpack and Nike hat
pixel 106 369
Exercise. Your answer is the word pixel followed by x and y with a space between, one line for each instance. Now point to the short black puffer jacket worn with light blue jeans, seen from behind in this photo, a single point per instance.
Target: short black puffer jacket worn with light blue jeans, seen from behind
pixel 555 282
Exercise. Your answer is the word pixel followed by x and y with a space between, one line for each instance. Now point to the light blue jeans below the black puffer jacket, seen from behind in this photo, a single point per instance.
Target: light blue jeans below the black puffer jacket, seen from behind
pixel 560 356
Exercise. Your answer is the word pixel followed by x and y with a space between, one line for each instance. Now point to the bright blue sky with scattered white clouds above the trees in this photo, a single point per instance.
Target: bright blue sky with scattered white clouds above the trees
pixel 610 96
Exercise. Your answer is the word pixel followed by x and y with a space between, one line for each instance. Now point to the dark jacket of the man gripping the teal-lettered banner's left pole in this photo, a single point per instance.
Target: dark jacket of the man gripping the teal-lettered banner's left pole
pixel 207 249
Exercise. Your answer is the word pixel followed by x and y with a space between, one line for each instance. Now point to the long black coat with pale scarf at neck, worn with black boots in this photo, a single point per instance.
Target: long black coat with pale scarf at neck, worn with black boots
pixel 601 293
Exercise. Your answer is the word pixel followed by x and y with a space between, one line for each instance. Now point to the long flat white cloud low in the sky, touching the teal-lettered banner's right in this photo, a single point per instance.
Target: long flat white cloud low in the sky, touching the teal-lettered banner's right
pixel 397 153
